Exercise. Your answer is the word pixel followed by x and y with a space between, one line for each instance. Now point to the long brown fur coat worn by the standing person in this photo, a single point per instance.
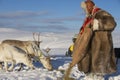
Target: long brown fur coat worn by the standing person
pixel 99 56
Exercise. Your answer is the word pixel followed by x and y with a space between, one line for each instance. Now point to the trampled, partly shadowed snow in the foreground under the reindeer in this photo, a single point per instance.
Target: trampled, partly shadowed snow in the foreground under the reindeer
pixel 59 63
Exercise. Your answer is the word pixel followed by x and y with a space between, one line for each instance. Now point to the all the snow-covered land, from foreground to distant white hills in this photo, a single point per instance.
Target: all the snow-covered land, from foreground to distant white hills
pixel 58 42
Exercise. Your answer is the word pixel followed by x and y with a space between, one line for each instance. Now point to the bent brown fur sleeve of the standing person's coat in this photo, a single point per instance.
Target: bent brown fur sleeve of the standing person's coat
pixel 106 21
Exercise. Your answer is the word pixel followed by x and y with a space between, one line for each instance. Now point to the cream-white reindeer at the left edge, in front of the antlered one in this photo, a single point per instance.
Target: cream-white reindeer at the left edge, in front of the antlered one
pixel 13 54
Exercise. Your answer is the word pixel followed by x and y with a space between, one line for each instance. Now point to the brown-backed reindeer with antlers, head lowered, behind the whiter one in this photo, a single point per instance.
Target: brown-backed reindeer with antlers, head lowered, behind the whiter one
pixel 33 50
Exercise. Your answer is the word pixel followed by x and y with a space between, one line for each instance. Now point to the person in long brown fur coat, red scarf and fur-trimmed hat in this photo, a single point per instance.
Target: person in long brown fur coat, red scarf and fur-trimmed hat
pixel 93 50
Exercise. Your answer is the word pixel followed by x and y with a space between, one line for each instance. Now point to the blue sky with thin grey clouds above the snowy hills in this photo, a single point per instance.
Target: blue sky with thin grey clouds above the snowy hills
pixel 49 15
